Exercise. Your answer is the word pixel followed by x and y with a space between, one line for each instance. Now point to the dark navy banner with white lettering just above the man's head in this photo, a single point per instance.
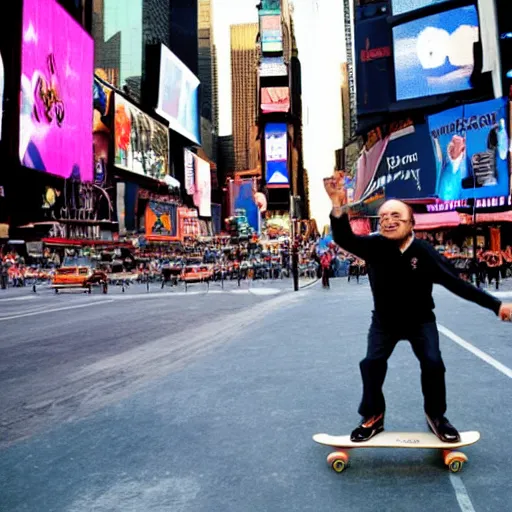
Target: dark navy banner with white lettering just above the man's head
pixel 407 169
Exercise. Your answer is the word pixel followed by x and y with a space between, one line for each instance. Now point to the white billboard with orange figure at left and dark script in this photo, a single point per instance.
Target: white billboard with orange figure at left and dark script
pixel 141 143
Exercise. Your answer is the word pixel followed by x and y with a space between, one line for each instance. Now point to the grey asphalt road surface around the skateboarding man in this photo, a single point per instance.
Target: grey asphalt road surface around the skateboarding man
pixel 207 402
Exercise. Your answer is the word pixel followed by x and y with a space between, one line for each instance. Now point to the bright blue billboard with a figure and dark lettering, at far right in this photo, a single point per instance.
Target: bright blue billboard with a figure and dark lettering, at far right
pixel 471 148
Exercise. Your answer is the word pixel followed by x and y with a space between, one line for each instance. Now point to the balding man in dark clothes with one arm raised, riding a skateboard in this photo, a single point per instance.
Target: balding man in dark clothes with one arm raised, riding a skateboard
pixel 402 272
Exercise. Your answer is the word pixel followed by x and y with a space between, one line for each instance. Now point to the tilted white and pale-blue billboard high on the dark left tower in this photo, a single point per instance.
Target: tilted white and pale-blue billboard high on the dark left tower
pixel 178 96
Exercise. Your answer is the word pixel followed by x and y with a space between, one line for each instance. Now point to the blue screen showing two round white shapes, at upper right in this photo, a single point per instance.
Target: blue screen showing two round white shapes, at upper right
pixel 434 55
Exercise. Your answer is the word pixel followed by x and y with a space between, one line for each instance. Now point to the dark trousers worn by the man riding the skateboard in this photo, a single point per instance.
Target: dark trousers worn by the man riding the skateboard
pixel 382 340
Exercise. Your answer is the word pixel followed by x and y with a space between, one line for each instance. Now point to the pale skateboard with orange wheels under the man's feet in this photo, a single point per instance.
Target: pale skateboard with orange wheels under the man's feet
pixel 452 458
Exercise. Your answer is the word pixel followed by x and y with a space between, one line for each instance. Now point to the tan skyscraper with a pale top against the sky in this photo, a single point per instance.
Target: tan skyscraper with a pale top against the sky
pixel 244 80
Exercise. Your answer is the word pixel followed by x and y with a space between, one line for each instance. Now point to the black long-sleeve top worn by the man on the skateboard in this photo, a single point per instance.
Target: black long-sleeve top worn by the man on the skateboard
pixel 402 283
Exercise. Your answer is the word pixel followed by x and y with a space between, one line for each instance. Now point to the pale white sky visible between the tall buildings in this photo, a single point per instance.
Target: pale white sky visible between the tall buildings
pixel 320 40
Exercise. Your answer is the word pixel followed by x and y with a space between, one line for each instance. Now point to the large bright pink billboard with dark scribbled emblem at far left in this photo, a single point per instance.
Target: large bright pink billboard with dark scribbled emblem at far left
pixel 56 92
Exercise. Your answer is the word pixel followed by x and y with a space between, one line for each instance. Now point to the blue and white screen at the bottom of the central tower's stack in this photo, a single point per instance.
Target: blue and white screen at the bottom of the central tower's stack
pixel 276 155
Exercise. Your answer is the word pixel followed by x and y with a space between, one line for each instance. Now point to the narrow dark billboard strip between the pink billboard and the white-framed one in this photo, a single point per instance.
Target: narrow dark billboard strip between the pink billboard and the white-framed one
pixel 101 129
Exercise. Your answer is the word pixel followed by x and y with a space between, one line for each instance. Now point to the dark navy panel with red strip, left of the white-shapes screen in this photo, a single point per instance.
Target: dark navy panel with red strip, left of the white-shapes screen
pixel 373 65
